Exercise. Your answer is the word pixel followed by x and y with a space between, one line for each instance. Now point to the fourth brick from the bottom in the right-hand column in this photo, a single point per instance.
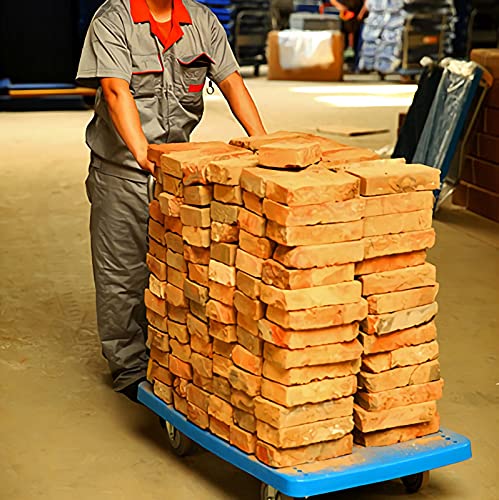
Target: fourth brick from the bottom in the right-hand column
pixel 400 377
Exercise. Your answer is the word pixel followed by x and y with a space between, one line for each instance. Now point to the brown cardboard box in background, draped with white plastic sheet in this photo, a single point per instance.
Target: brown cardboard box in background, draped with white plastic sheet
pixel 330 73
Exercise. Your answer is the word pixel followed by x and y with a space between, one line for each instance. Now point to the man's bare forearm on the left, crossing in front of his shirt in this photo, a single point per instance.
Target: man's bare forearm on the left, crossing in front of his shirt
pixel 126 119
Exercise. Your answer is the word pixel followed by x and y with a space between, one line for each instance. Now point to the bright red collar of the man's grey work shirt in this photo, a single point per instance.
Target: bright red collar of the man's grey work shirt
pixel 180 15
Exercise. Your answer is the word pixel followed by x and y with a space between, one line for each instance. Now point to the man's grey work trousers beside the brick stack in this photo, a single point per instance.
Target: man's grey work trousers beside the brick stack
pixel 118 230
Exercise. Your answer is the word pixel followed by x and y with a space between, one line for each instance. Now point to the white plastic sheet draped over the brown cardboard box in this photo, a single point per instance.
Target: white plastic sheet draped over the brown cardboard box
pixel 304 49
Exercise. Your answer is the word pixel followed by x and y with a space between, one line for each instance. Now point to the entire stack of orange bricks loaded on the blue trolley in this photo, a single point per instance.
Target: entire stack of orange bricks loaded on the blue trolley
pixel 253 305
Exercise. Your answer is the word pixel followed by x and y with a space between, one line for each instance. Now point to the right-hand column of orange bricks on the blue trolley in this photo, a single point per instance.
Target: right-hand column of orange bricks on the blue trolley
pixel 399 382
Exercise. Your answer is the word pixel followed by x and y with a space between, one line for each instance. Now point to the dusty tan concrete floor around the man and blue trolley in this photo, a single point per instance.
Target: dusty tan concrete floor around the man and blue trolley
pixel 65 435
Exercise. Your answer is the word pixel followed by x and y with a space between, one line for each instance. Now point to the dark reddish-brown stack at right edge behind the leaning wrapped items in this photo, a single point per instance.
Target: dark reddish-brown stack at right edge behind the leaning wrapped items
pixel 479 189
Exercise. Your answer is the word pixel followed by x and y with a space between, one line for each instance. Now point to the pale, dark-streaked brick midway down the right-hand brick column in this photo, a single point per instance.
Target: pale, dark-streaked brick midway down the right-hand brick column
pixel 382 324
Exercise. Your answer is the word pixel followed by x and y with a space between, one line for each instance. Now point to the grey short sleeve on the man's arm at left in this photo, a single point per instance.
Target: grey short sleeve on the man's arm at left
pixel 105 54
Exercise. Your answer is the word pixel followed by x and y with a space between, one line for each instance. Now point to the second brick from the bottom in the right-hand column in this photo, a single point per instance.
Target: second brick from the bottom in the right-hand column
pixel 369 421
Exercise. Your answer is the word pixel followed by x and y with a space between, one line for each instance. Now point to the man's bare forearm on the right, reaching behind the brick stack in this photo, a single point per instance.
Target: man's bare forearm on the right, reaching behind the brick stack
pixel 242 105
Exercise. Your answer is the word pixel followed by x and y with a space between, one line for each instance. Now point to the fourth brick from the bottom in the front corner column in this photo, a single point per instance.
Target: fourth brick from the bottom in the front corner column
pixel 314 392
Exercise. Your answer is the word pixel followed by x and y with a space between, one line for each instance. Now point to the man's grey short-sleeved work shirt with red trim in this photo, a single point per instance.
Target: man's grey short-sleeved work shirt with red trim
pixel 167 85
